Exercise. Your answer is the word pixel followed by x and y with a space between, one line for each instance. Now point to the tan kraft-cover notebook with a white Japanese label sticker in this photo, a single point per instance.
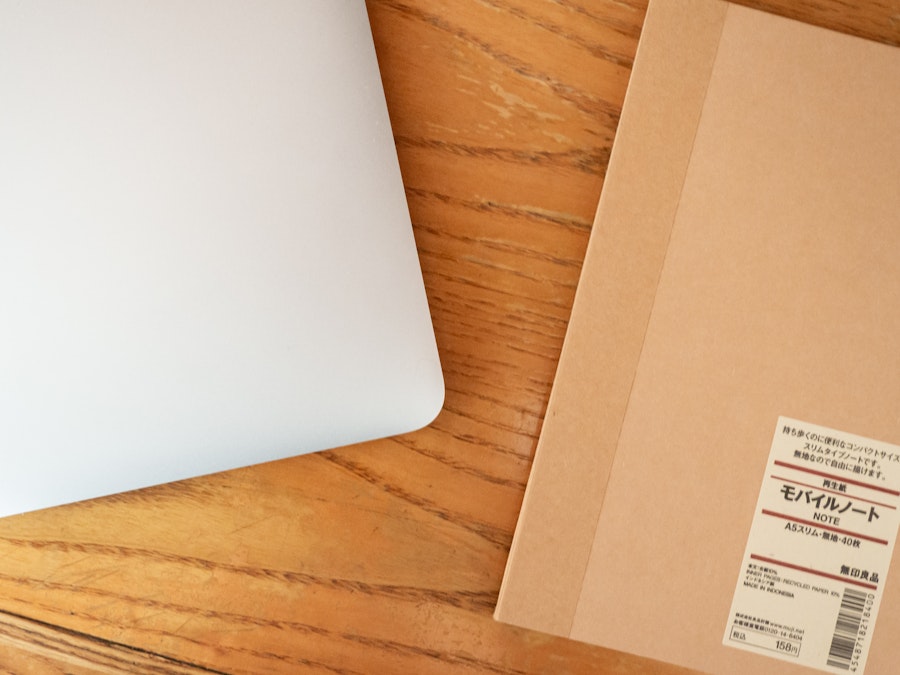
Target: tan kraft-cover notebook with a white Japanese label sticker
pixel 716 480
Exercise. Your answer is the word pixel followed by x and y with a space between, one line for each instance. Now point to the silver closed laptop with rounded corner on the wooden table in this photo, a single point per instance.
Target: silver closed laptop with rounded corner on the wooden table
pixel 206 257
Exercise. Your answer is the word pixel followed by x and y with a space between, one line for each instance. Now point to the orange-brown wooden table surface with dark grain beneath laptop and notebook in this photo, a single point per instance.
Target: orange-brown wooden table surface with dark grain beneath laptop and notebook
pixel 387 557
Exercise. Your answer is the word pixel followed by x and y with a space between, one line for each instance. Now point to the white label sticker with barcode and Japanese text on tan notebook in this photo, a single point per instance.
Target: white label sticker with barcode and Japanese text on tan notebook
pixel 819 549
